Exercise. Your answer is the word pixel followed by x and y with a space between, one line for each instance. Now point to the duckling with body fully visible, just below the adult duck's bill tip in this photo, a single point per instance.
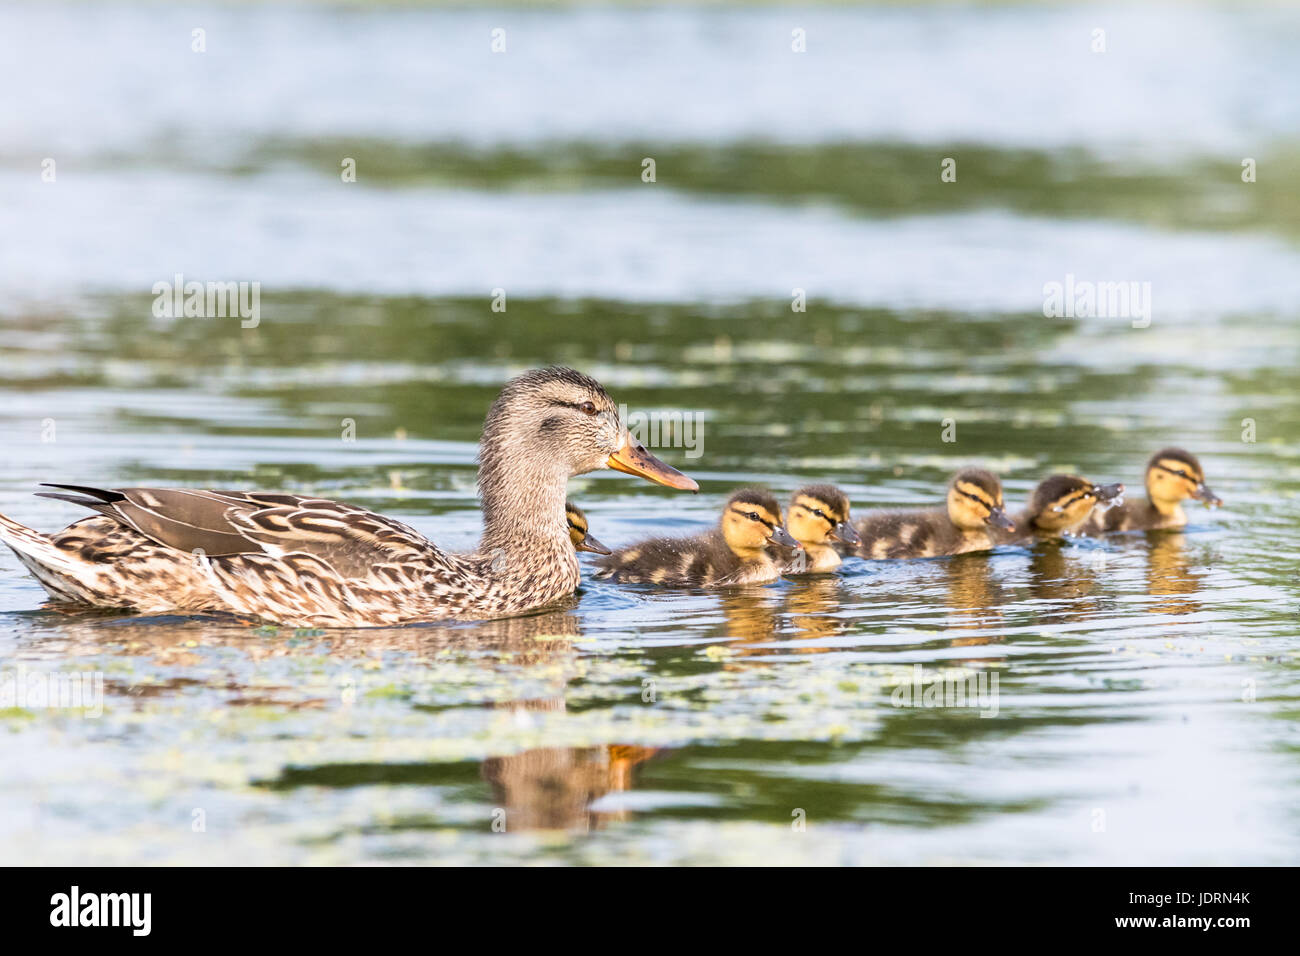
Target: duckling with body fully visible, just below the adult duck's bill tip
pixel 733 553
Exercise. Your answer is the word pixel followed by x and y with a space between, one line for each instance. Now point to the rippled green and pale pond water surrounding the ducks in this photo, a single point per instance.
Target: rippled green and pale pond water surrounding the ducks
pixel 1149 686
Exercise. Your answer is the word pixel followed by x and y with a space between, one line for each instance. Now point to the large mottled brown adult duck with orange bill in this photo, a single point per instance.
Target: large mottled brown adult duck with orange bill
pixel 305 561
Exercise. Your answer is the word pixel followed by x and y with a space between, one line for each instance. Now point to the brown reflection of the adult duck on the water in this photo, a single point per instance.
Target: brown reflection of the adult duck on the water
pixel 548 789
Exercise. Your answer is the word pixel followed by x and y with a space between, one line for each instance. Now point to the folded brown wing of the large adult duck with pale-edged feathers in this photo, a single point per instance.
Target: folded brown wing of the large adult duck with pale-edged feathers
pixel 352 540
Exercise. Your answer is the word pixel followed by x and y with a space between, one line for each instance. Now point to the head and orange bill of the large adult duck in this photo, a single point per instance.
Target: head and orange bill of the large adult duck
pixel 554 423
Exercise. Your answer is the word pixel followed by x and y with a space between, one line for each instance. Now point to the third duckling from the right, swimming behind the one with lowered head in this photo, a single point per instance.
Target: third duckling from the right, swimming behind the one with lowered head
pixel 973 518
